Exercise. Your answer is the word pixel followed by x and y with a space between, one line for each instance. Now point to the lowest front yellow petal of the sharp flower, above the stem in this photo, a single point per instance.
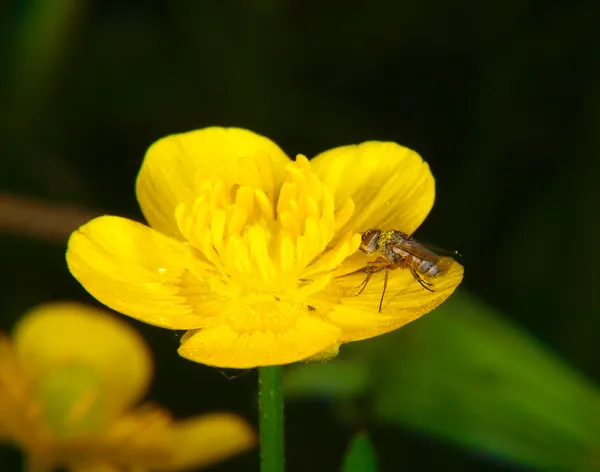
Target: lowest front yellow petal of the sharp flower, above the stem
pixel 222 346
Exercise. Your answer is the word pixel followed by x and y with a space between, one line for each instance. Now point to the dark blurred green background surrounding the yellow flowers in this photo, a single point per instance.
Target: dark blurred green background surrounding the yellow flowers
pixel 502 100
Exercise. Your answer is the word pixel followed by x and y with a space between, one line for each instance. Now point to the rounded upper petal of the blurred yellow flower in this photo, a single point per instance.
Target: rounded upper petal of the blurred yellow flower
pixel 55 336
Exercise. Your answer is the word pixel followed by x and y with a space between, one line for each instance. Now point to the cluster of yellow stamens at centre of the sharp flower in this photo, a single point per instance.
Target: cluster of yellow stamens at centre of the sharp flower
pixel 264 234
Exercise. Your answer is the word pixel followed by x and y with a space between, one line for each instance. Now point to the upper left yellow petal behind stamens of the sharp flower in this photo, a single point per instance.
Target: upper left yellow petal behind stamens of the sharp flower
pixel 172 165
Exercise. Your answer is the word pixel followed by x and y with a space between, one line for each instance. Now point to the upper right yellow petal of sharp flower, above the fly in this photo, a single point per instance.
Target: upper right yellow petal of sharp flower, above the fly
pixel 390 185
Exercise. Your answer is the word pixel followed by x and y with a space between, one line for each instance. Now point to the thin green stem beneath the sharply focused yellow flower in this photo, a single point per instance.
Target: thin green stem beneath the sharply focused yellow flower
pixel 271 419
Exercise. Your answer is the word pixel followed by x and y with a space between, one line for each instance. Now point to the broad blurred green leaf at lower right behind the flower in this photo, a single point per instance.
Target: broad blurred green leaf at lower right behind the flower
pixel 466 374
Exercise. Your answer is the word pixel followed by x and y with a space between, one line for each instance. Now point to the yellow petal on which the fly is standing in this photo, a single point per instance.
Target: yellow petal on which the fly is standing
pixel 405 301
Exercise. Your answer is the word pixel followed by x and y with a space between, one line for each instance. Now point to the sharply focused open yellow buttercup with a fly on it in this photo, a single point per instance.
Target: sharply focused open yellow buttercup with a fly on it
pixel 245 246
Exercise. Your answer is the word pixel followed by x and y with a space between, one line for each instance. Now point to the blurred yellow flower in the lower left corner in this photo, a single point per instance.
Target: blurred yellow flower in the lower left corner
pixel 68 381
